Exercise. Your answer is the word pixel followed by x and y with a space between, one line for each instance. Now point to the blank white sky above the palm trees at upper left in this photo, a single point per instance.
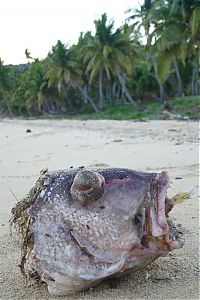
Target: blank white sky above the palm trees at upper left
pixel 37 25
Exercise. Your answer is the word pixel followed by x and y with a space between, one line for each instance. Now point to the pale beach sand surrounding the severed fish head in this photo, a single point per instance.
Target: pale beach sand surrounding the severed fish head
pixel 148 146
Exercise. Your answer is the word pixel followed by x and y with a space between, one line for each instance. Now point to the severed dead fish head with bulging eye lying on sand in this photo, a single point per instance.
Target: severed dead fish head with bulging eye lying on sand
pixel 91 223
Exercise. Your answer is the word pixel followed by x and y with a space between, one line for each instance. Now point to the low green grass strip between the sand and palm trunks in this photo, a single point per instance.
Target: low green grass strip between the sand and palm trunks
pixel 185 107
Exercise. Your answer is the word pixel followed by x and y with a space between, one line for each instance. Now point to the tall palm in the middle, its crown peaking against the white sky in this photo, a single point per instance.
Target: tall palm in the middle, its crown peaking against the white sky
pixel 109 55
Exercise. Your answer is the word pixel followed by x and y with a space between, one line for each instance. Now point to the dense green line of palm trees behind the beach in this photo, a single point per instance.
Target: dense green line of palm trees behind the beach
pixel 112 66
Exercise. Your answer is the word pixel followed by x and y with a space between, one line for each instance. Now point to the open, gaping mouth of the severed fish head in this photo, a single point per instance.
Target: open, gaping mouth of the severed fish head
pixel 158 228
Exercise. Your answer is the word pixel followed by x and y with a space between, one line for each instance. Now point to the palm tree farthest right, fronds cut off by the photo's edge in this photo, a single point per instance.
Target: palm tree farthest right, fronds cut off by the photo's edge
pixel 180 38
